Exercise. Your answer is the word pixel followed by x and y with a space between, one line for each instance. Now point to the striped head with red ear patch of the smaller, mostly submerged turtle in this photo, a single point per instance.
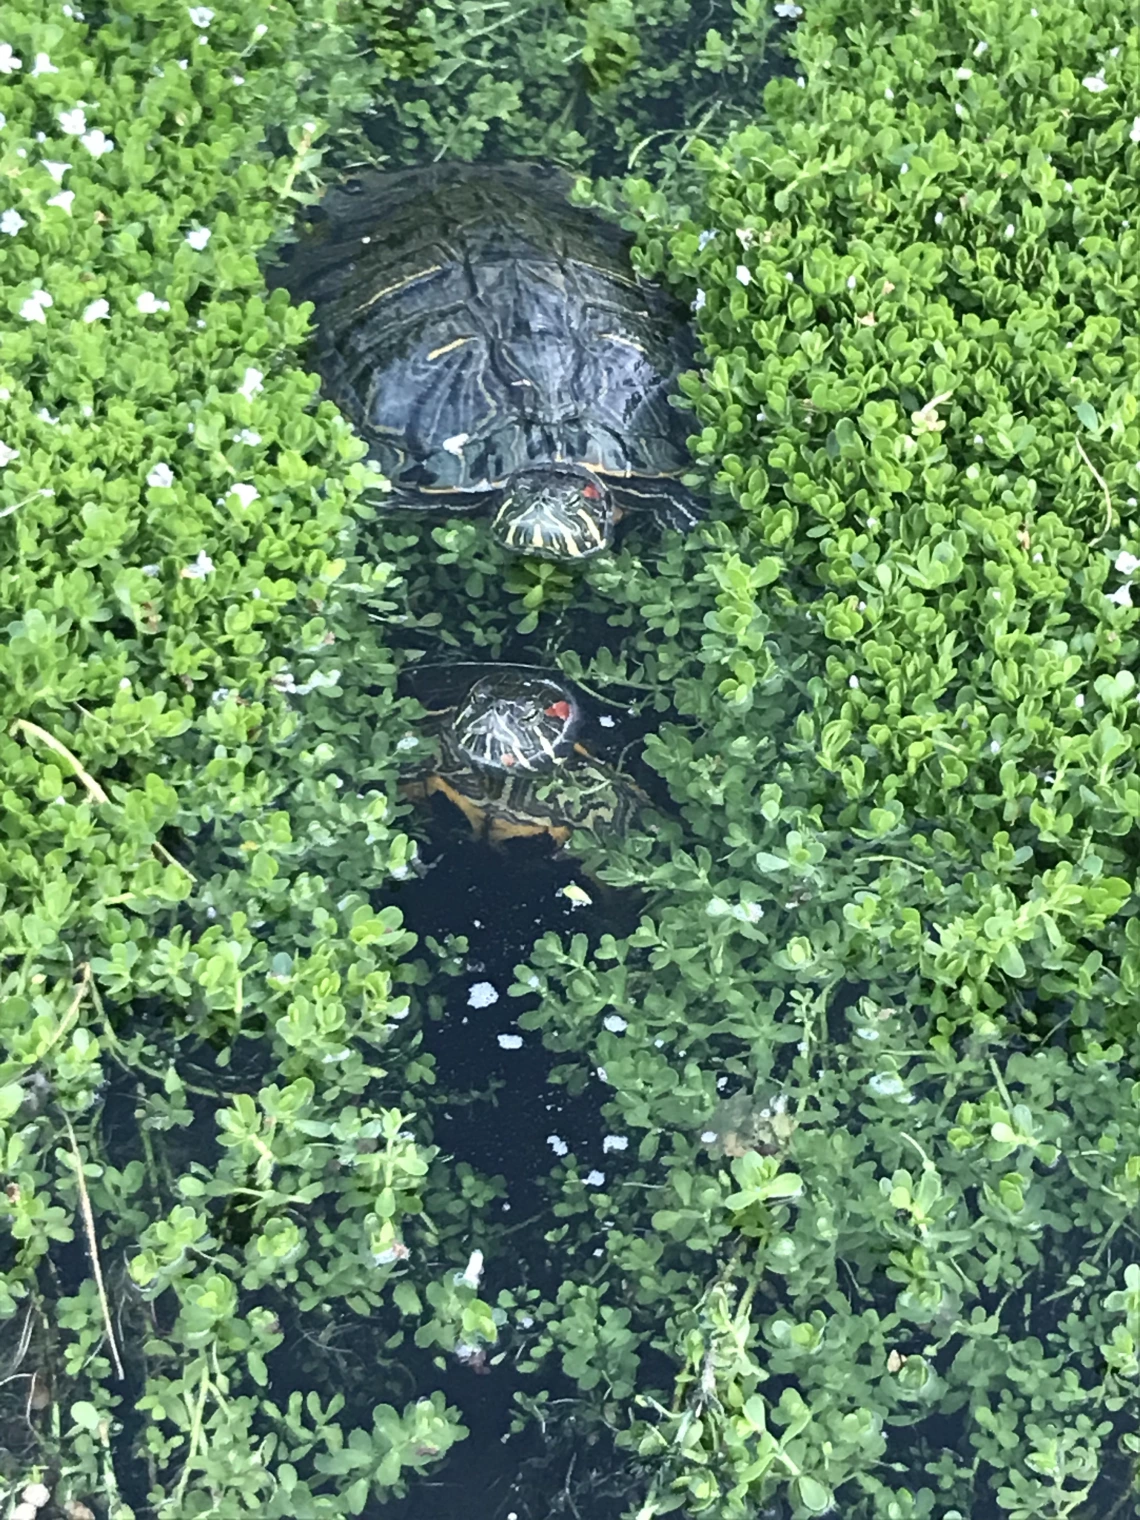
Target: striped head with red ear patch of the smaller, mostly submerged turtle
pixel 516 723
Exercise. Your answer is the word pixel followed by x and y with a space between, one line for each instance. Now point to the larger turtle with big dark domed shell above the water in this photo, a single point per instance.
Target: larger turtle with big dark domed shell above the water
pixel 495 350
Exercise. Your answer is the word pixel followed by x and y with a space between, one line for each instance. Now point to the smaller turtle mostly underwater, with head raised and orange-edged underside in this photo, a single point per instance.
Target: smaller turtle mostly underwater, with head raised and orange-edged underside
pixel 511 762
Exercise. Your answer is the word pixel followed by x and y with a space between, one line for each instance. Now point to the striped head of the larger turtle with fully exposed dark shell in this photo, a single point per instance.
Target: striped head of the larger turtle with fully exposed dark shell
pixel 556 513
